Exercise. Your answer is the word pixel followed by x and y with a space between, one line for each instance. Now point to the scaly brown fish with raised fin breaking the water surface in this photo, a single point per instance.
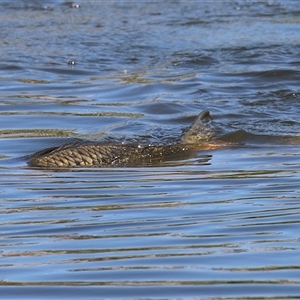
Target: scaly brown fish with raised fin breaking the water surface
pixel 97 154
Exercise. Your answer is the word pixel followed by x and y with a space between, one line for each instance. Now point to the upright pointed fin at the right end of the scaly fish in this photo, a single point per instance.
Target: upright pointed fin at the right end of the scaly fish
pixel 199 130
